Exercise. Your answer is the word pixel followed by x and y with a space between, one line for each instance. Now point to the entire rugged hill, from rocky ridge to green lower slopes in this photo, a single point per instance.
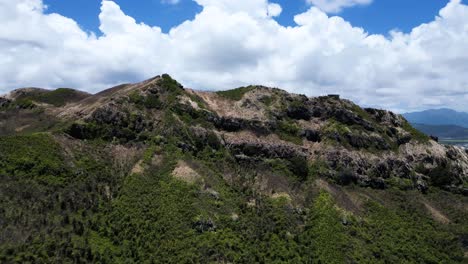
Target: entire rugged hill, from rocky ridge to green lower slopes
pixel 153 172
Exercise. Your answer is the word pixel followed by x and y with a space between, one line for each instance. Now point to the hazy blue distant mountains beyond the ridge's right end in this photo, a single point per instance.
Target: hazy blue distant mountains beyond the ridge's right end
pixel 443 123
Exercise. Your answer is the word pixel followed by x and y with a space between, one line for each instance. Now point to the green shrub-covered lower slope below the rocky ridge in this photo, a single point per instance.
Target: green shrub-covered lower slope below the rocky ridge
pixel 58 213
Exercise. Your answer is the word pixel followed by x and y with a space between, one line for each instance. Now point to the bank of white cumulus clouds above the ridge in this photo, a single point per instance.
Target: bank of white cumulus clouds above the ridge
pixel 234 43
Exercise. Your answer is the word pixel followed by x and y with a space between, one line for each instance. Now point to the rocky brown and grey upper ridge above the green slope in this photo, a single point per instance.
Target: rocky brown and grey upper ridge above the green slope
pixel 369 147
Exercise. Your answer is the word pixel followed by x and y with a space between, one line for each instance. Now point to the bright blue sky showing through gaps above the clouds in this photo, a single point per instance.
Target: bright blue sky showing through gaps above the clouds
pixel 379 17
